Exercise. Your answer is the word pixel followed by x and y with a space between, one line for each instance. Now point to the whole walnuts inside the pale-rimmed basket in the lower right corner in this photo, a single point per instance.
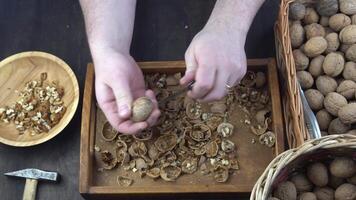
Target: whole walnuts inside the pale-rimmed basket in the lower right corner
pixel 321 181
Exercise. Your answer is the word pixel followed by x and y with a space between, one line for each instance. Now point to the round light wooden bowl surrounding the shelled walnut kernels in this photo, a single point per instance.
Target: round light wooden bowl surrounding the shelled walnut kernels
pixel 20 68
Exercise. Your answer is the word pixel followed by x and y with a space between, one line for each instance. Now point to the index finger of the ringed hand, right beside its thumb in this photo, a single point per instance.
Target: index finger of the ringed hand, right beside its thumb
pixel 204 81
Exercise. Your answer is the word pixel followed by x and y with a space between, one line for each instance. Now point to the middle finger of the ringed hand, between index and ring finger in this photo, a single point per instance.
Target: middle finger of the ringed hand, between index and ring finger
pixel 219 90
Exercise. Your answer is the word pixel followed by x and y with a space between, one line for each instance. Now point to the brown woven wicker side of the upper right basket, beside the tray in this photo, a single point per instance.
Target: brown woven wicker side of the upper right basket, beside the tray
pixel 296 130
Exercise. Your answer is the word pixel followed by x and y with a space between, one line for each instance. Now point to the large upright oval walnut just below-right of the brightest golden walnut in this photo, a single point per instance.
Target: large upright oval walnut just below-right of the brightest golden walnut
pixel 333 64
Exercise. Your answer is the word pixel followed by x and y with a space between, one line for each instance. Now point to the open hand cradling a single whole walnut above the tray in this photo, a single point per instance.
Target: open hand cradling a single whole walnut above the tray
pixel 119 81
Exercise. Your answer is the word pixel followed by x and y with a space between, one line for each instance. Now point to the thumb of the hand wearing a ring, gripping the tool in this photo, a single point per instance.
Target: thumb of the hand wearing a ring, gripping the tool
pixel 191 67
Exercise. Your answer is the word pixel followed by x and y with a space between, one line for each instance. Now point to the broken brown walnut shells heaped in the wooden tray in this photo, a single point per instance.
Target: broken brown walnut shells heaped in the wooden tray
pixel 190 137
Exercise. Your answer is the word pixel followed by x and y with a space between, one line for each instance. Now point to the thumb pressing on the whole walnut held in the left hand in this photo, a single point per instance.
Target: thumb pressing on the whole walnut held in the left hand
pixel 123 97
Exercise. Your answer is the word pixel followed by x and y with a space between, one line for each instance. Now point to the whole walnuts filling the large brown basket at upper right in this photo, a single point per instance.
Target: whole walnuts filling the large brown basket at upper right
pixel 323 38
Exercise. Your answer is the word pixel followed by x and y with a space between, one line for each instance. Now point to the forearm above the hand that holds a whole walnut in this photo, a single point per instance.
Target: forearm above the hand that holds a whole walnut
pixel 109 24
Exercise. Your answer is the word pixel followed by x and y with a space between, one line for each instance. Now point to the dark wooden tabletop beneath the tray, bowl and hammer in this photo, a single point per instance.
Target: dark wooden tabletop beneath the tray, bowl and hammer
pixel 163 30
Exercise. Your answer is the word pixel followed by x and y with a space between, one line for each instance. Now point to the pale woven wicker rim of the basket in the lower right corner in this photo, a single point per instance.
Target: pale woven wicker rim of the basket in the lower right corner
pixel 286 163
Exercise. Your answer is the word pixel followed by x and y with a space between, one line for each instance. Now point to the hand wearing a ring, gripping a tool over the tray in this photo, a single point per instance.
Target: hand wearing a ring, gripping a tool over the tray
pixel 215 59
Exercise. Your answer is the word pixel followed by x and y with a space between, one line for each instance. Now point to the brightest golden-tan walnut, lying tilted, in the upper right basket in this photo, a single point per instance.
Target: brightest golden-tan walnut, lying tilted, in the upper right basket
pixel 315 46
